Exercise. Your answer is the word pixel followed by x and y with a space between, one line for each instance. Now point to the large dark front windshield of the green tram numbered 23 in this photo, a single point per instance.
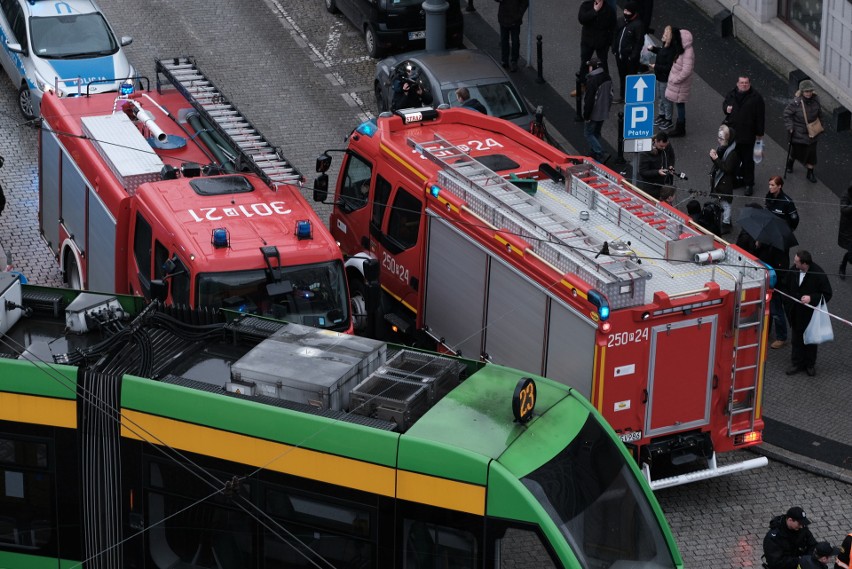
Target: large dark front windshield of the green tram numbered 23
pixel 592 495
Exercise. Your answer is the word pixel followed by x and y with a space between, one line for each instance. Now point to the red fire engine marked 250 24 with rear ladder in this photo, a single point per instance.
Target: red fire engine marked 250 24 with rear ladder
pixel 494 244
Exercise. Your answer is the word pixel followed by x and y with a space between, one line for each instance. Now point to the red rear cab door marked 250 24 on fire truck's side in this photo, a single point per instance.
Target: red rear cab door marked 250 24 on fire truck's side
pixel 396 224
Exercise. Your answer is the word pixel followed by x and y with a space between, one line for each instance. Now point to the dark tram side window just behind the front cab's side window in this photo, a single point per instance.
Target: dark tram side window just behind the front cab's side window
pixel 433 546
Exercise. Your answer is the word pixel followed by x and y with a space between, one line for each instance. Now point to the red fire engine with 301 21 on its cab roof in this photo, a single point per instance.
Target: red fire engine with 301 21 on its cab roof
pixel 174 193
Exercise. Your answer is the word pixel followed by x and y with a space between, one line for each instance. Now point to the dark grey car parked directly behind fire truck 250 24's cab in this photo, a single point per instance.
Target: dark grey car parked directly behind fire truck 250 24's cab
pixel 441 73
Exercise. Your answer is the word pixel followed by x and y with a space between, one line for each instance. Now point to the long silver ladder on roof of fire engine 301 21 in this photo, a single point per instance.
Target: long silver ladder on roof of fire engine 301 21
pixel 253 150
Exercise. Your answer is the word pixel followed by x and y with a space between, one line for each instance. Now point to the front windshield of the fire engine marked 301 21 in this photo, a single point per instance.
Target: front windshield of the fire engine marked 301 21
pixel 313 295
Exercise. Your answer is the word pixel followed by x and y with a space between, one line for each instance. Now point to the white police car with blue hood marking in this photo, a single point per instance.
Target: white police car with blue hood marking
pixel 65 46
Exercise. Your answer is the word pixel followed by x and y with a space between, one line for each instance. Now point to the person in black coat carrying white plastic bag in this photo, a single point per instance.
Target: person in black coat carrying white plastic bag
pixel 808 285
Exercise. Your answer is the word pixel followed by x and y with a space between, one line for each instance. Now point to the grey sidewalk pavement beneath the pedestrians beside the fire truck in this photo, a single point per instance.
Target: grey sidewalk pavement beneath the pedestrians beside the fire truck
pixel 807 420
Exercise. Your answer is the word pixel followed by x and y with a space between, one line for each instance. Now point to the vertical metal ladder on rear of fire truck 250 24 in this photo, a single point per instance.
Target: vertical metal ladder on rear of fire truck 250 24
pixel 742 400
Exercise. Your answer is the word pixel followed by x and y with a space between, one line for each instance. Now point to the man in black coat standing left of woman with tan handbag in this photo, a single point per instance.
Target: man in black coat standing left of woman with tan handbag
pixel 745 110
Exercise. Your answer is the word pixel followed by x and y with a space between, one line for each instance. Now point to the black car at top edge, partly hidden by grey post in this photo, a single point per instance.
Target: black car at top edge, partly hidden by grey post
pixel 396 25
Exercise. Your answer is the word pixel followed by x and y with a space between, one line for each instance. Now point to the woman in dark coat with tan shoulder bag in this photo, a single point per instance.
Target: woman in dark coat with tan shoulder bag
pixel 803 110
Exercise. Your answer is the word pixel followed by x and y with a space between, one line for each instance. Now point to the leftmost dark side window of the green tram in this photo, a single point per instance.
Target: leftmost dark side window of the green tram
pixel 26 494
